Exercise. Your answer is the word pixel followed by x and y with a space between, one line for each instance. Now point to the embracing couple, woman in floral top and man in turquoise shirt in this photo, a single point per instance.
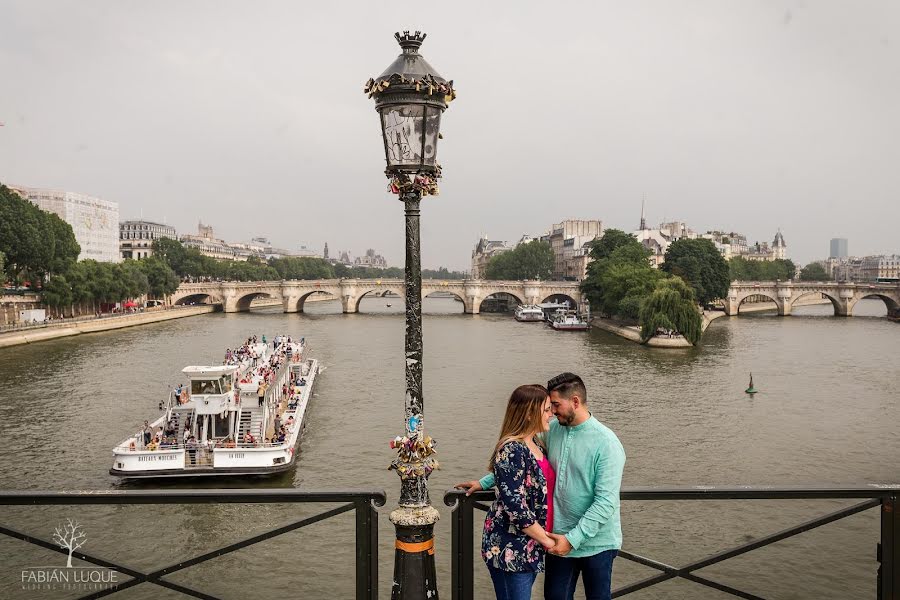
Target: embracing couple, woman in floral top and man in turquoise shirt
pixel 557 506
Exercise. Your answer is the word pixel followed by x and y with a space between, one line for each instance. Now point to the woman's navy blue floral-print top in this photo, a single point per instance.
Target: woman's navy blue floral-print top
pixel 521 502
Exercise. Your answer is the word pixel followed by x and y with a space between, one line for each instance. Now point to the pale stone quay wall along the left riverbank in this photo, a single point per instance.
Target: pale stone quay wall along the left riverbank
pixel 59 330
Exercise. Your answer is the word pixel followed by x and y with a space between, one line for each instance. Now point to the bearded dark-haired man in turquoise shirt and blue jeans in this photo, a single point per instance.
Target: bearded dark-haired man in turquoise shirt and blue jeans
pixel 588 459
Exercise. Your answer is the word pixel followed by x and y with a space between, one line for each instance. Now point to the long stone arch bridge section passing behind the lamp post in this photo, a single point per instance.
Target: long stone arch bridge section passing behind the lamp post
pixel 236 296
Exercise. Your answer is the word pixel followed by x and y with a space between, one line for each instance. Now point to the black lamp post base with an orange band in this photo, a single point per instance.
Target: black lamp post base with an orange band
pixel 414 572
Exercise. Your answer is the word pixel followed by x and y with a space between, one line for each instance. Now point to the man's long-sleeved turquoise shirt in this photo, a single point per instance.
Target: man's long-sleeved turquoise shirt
pixel 588 460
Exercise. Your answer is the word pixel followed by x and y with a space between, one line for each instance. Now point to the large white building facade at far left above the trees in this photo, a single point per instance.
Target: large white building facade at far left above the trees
pixel 95 222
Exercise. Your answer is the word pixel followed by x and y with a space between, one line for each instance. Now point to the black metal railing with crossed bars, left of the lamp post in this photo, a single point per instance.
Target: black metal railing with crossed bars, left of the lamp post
pixel 363 502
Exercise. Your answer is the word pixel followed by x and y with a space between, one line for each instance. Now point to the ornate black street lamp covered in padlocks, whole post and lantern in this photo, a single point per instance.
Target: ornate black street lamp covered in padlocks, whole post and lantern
pixel 410 97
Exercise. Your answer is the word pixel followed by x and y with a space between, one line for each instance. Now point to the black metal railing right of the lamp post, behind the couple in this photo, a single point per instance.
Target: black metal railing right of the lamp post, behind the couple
pixel 885 497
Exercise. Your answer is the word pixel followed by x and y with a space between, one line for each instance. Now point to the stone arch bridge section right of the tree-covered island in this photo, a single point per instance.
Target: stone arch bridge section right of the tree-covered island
pixel 784 294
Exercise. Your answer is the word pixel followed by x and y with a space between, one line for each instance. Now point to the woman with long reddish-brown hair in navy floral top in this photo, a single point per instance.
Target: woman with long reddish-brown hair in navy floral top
pixel 515 530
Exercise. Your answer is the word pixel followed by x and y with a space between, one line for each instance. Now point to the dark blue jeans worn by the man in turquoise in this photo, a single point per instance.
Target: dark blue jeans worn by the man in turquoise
pixel 562 576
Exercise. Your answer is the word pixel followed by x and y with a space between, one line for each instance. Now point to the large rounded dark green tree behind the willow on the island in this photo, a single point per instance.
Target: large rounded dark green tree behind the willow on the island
pixel 701 266
